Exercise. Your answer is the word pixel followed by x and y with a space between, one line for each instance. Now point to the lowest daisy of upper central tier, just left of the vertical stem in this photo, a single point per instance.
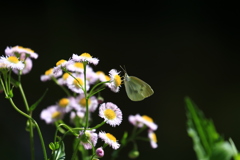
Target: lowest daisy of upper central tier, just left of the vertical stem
pixel 77 84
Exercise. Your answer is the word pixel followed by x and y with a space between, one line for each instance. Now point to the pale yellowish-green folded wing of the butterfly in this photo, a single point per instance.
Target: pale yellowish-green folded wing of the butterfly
pixel 137 89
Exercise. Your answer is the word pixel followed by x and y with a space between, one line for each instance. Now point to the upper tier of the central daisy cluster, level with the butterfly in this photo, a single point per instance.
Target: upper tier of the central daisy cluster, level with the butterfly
pixel 74 78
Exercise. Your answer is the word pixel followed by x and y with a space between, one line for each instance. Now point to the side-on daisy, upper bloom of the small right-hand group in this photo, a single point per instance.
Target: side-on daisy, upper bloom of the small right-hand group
pixel 145 120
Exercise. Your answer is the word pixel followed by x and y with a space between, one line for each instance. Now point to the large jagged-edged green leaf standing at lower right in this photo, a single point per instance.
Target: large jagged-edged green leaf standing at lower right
pixel 207 143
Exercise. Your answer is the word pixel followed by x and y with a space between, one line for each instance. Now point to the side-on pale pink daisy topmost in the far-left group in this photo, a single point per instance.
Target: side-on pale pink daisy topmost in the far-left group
pixel 11 51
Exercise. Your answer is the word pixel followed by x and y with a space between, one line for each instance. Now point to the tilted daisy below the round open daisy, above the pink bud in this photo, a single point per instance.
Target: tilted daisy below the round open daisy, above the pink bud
pixel 109 139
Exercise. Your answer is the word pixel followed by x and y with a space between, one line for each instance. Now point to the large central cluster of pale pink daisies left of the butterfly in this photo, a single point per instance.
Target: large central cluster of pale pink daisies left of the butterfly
pixel 78 76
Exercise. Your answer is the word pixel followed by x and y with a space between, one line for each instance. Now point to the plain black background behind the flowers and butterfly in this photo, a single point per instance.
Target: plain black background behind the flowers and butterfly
pixel 181 48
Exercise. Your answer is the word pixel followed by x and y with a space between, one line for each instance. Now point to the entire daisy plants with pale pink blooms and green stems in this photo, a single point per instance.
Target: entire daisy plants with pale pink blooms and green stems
pixel 82 86
